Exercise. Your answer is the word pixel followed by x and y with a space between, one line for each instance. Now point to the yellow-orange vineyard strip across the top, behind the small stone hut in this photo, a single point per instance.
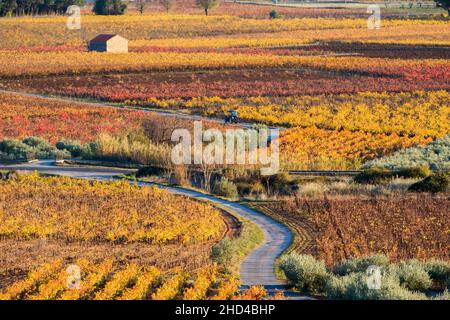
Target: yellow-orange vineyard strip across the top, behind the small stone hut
pixel 52 31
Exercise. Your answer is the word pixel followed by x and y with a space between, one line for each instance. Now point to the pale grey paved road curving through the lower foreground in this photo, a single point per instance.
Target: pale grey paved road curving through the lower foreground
pixel 258 268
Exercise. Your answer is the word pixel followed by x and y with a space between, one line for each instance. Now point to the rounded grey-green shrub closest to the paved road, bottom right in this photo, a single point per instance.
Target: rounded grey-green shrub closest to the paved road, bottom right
pixel 305 272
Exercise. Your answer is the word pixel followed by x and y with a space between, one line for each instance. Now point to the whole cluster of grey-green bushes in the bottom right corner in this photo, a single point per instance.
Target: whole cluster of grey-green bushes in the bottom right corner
pixel 406 280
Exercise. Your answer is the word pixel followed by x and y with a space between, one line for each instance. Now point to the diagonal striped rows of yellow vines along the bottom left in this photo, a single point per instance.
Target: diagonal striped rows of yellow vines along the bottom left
pixel 106 280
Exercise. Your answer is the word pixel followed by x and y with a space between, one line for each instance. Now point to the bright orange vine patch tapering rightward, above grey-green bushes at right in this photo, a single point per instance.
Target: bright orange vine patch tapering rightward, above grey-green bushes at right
pixel 313 148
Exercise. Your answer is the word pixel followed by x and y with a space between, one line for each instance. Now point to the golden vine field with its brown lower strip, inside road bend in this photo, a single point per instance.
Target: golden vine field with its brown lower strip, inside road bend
pixel 79 219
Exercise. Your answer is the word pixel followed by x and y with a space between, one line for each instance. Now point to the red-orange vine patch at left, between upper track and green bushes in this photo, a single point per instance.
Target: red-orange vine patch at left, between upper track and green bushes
pixel 22 116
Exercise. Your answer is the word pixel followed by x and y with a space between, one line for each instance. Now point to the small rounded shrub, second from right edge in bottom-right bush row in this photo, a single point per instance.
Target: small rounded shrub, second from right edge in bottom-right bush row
pixel 413 276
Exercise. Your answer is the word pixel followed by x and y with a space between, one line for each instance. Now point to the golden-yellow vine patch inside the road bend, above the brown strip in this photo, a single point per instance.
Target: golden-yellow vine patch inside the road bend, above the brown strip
pixel 77 210
